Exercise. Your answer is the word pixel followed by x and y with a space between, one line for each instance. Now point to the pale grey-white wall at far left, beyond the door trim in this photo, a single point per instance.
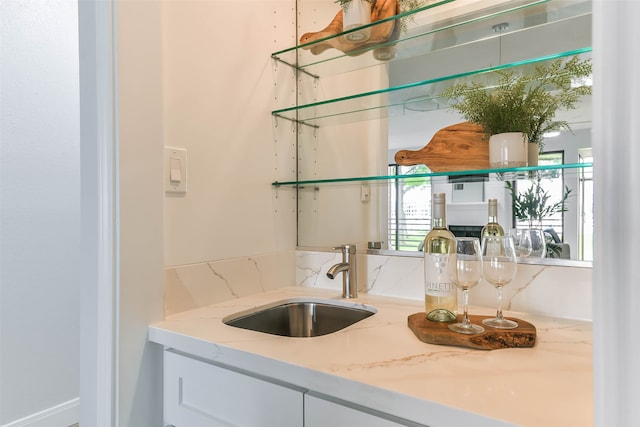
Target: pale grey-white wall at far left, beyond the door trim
pixel 39 212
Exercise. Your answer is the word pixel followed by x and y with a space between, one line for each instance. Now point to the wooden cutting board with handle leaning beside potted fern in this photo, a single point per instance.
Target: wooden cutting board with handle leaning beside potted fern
pixel 457 147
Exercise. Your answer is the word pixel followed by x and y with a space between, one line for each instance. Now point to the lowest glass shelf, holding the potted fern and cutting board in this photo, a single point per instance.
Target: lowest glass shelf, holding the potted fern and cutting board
pixel 526 172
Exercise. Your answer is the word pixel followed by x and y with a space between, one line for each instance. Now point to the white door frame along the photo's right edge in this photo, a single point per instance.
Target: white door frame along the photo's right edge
pixel 617 202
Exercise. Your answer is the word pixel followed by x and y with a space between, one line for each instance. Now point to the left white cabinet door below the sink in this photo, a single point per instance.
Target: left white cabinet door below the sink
pixel 198 394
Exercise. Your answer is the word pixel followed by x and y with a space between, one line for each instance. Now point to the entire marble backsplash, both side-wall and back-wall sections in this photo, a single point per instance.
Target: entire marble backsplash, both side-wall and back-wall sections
pixel 546 290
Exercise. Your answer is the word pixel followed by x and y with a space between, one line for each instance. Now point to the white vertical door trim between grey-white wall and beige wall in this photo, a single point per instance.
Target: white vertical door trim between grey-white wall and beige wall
pixel 98 231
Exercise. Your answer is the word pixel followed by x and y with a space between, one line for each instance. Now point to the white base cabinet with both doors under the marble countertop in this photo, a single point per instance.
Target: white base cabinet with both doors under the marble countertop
pixel 200 394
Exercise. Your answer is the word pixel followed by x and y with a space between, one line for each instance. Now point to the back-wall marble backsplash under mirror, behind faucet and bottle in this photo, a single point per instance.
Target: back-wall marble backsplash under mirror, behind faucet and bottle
pixel 546 290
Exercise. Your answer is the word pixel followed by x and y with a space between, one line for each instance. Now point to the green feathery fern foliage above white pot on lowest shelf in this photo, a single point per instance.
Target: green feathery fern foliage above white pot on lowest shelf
pixel 527 103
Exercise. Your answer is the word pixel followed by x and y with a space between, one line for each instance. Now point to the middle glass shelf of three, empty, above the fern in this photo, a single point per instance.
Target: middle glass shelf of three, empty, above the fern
pixel 380 103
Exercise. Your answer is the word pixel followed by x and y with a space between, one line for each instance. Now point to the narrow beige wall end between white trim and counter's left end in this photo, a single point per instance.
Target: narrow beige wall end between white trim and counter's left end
pixel 140 217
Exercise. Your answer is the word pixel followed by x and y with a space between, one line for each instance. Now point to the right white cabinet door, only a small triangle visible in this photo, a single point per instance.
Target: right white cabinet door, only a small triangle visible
pixel 322 413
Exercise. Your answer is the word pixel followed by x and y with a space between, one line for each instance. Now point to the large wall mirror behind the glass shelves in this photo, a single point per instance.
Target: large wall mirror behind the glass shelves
pixel 364 210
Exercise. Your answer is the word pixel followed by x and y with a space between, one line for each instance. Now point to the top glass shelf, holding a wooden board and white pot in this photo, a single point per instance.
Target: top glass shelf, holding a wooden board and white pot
pixel 421 26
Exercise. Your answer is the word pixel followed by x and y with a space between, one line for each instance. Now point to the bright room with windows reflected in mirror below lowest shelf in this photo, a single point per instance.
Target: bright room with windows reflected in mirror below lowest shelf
pixel 569 233
